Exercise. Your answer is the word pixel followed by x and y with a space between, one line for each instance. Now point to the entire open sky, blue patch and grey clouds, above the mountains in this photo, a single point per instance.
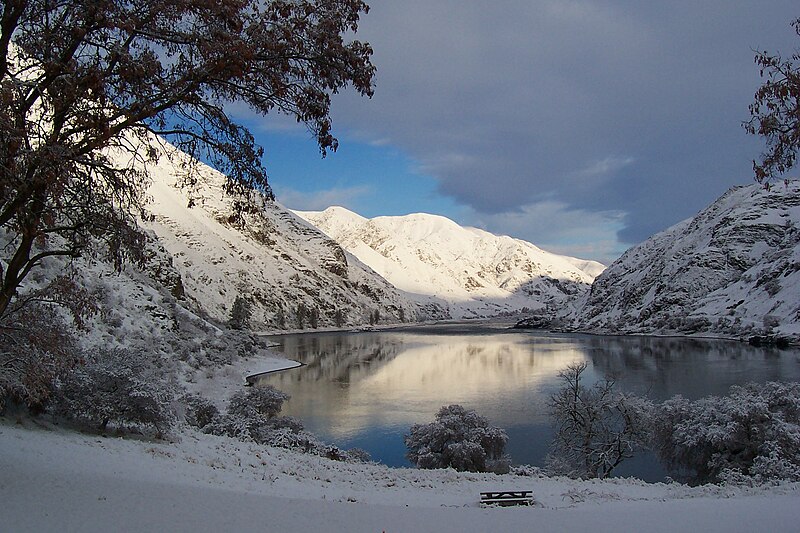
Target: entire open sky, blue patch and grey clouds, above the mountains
pixel 581 126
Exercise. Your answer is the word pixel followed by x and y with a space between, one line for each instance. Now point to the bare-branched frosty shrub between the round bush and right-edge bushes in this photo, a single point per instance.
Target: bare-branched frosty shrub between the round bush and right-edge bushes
pixel 596 428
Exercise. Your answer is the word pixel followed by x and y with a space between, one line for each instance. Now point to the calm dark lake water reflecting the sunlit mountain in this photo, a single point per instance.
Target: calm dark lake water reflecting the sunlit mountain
pixel 366 389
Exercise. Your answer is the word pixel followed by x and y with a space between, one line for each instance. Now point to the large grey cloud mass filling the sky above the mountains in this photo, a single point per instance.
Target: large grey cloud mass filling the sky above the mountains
pixel 618 105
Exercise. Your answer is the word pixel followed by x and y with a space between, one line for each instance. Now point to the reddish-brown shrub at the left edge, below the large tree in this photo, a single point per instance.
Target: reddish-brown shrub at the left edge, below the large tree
pixel 36 347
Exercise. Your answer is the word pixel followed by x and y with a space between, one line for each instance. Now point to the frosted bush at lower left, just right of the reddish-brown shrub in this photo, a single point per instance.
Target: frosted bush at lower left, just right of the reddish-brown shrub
pixel 118 386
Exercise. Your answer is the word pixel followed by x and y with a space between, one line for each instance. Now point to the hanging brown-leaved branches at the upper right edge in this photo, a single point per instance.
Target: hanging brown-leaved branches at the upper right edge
pixel 775 113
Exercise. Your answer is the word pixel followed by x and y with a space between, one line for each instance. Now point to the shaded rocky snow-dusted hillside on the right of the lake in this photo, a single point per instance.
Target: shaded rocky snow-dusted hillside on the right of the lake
pixel 734 269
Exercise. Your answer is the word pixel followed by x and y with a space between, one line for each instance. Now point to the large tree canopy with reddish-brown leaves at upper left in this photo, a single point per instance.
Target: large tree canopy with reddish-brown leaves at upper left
pixel 79 77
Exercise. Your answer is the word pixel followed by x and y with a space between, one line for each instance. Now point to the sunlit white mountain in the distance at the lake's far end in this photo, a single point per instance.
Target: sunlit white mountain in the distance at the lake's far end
pixel 475 272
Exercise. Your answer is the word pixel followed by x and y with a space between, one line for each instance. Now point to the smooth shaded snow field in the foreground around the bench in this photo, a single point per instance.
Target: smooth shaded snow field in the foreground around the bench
pixel 57 480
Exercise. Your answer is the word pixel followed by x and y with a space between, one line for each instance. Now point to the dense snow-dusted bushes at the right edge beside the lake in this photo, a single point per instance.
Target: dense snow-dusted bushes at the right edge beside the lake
pixel 752 433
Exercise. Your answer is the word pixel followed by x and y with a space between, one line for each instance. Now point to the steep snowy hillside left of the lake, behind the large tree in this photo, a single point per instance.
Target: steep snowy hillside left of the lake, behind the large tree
pixel 273 259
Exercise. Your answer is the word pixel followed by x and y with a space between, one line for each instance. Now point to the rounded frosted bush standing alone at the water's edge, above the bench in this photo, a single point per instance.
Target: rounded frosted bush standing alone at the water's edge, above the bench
pixel 458 438
